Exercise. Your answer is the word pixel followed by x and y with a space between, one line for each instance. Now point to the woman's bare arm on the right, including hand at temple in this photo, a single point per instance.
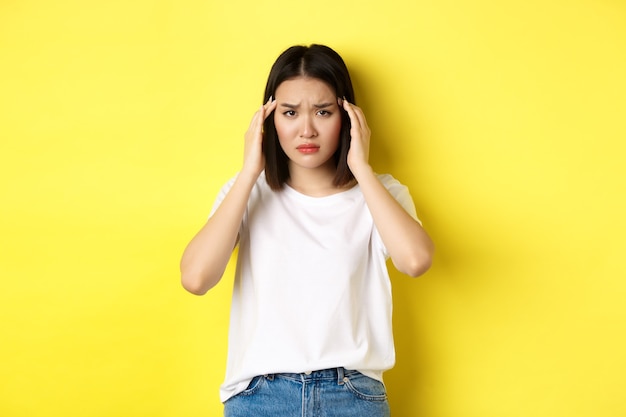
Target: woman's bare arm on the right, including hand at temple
pixel 409 246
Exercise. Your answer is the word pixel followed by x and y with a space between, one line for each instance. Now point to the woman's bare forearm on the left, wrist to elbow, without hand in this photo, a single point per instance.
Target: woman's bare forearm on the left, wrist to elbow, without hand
pixel 205 258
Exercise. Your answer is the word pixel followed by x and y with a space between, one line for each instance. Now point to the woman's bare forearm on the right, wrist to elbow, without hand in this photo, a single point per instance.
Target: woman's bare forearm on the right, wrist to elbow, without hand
pixel 409 246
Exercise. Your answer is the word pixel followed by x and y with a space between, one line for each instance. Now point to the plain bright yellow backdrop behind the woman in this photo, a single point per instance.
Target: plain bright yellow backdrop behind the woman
pixel 120 120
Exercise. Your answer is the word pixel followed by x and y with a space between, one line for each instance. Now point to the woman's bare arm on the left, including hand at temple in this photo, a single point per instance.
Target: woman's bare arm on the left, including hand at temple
pixel 205 258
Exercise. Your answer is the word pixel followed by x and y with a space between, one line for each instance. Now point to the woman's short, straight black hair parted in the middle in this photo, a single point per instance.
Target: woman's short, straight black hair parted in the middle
pixel 322 63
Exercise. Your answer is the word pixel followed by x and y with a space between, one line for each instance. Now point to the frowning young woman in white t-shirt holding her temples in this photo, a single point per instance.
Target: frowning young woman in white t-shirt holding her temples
pixel 310 327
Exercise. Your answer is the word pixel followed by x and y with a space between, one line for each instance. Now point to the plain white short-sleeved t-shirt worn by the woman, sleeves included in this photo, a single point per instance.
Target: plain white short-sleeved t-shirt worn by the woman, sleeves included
pixel 311 288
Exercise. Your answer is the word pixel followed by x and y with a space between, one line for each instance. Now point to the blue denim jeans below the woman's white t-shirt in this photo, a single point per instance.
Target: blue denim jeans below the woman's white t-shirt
pixel 328 393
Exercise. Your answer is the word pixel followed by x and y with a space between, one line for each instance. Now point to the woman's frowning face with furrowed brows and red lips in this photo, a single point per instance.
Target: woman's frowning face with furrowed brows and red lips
pixel 308 123
